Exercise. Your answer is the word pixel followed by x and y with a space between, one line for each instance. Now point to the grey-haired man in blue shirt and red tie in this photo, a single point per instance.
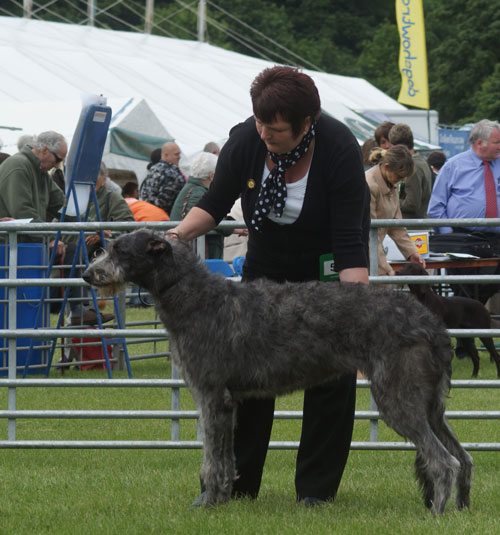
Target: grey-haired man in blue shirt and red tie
pixel 468 186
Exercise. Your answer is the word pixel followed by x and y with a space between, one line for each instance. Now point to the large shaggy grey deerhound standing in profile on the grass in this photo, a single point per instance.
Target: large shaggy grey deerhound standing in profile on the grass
pixel 262 338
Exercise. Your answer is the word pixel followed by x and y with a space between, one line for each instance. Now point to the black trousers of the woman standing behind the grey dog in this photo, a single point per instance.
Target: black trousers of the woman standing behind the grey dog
pixel 328 420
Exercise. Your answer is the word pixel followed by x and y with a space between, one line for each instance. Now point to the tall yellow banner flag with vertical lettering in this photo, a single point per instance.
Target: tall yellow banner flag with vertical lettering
pixel 412 54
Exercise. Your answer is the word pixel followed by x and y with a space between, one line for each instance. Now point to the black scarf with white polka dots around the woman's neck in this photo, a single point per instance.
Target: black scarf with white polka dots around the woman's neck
pixel 272 193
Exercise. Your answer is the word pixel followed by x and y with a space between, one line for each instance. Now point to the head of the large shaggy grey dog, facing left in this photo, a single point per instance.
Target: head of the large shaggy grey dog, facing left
pixel 134 257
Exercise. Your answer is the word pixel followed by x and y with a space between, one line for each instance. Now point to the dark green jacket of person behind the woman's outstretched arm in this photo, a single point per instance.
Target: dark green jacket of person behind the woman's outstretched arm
pixel 188 197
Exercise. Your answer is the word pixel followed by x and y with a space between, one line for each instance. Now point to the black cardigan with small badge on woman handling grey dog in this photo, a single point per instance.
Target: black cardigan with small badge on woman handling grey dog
pixel 335 216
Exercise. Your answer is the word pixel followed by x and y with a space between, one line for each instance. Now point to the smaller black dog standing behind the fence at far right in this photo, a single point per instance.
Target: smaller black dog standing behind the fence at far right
pixel 456 313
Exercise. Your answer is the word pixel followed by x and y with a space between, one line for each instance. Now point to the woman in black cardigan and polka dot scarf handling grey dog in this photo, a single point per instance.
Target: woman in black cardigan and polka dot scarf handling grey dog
pixel 303 192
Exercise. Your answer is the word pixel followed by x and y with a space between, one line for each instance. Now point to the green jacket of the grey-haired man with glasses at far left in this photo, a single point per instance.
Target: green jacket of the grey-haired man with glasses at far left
pixel 26 191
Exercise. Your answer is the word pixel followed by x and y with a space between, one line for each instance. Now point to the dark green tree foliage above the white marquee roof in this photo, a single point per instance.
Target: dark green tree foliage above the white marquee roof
pixel 340 36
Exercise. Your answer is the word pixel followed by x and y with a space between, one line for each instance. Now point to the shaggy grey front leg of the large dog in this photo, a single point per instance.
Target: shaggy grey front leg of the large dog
pixel 218 468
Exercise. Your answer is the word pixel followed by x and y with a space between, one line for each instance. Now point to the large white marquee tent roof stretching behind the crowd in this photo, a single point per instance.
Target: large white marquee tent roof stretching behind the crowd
pixel 195 91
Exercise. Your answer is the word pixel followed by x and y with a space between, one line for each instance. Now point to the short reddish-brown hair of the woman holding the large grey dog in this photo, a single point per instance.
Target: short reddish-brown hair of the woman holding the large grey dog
pixel 287 92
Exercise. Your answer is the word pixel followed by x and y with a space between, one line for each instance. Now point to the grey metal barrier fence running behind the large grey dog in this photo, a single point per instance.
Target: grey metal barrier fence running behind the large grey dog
pixel 175 384
